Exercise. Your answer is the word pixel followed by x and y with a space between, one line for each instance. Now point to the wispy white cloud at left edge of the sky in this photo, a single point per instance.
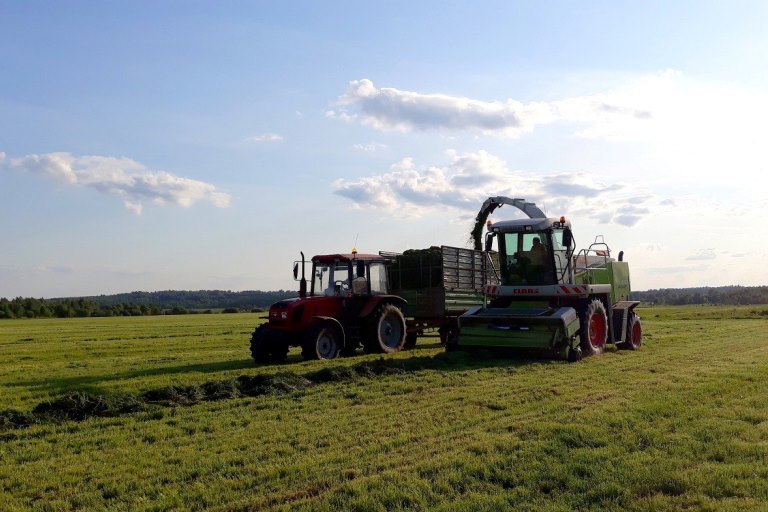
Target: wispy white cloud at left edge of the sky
pixel 119 176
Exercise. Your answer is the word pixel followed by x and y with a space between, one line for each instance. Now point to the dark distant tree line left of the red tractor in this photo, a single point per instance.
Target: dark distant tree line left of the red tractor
pixel 142 304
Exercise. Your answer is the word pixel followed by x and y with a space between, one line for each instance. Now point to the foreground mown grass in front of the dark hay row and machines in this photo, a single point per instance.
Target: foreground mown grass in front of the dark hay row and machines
pixel 682 423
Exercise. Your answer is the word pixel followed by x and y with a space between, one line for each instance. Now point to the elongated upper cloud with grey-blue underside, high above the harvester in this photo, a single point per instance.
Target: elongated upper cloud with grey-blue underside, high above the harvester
pixel 394 109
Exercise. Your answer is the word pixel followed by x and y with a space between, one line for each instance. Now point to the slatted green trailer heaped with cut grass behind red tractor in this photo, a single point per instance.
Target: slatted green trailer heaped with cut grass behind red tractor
pixel 439 284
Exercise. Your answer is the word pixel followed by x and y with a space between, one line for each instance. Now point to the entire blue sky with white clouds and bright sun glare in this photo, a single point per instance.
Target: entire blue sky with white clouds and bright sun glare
pixel 200 145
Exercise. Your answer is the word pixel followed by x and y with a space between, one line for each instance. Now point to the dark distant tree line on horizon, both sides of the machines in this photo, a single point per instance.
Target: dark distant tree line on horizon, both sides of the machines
pixel 209 301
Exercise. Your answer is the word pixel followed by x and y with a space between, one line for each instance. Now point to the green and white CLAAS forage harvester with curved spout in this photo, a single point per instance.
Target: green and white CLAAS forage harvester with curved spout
pixel 548 299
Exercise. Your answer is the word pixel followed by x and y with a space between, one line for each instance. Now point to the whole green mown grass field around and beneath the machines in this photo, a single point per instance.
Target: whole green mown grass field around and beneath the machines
pixel 680 424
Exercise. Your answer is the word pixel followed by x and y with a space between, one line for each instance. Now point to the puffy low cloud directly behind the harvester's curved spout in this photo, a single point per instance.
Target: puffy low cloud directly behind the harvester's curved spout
pixel 470 178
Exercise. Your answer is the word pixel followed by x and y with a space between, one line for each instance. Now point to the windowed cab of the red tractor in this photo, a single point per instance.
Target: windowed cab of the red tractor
pixel 345 275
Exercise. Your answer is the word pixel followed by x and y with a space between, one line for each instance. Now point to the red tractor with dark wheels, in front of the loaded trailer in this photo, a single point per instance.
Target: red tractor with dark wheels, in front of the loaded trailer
pixel 348 305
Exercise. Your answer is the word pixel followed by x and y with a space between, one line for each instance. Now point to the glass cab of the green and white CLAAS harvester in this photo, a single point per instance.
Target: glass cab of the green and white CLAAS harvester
pixel 533 252
